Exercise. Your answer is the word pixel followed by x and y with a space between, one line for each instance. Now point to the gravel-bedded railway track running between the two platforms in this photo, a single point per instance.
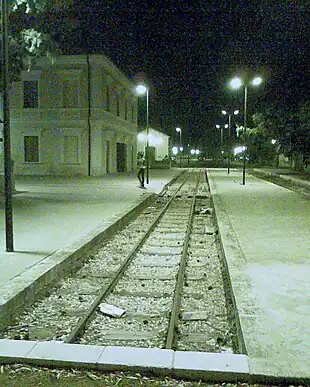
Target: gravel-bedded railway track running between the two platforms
pixel 162 275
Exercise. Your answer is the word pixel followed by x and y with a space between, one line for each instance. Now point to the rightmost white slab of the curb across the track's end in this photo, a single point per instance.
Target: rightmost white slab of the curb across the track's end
pixel 211 366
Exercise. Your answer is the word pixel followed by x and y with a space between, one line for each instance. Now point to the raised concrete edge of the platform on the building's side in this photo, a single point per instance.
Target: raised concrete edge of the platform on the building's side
pixel 24 289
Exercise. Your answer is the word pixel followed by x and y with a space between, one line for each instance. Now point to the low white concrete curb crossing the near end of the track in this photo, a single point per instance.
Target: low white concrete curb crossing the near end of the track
pixel 186 365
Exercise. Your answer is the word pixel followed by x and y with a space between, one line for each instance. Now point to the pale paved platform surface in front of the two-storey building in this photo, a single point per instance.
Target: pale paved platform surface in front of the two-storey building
pixel 50 213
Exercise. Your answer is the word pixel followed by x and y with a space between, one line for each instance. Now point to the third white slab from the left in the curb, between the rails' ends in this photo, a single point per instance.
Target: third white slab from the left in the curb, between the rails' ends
pixel 136 357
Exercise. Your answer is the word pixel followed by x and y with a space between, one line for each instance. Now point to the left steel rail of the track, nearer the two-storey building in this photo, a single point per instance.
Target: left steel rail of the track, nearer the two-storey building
pixel 76 332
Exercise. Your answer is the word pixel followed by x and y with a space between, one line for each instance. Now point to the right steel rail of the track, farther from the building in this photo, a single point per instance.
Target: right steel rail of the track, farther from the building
pixel 175 311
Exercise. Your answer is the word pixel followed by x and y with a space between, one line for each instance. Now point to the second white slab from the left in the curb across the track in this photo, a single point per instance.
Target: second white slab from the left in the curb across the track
pixel 54 352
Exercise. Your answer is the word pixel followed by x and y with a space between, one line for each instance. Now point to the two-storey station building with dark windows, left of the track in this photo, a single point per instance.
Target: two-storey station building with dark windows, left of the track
pixel 76 116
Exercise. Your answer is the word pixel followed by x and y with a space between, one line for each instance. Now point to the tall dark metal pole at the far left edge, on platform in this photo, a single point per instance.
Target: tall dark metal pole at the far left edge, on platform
pixel 6 132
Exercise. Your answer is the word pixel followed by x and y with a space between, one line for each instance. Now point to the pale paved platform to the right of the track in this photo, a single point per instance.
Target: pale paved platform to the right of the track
pixel 266 232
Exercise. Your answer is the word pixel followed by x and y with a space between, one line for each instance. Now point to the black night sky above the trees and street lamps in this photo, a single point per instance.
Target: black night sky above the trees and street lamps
pixel 189 50
